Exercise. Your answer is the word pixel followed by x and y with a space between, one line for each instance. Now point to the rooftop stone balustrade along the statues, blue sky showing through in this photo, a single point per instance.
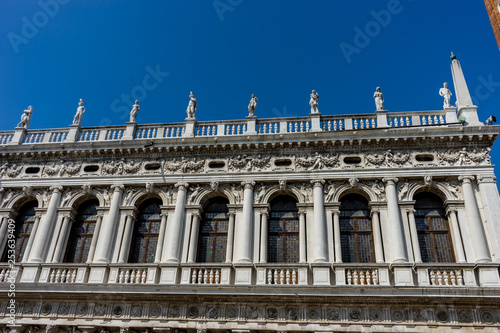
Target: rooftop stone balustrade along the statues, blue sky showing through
pixel 235 127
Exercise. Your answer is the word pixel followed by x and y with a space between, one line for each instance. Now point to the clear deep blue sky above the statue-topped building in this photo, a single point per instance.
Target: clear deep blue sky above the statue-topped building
pixel 225 50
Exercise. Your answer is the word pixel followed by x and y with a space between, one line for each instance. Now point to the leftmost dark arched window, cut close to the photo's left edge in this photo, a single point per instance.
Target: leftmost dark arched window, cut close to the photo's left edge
pixel 25 221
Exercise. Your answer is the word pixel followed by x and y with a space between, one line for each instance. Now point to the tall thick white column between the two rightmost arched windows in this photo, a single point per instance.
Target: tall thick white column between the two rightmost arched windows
pixel 398 247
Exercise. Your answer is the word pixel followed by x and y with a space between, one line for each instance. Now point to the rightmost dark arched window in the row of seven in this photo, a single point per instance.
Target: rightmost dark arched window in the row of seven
pixel 432 229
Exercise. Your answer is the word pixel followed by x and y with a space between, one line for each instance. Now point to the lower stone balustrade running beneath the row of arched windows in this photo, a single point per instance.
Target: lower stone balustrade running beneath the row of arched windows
pixel 303 274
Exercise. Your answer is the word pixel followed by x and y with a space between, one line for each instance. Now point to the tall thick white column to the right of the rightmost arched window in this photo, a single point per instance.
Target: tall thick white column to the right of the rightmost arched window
pixel 476 230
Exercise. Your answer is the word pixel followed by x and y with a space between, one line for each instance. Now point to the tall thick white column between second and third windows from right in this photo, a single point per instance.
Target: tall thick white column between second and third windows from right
pixel 320 245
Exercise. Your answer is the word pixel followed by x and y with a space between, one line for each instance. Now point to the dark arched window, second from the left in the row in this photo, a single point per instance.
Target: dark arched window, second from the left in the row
pixel 82 232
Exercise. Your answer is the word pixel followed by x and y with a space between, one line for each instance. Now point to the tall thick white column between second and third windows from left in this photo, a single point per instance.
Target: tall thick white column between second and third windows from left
pixel 108 229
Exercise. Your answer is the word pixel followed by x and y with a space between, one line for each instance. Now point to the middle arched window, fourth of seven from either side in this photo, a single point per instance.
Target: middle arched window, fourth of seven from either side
pixel 213 231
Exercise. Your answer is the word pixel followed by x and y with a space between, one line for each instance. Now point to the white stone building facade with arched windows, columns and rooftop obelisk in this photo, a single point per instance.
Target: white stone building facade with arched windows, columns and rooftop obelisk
pixel 372 222
